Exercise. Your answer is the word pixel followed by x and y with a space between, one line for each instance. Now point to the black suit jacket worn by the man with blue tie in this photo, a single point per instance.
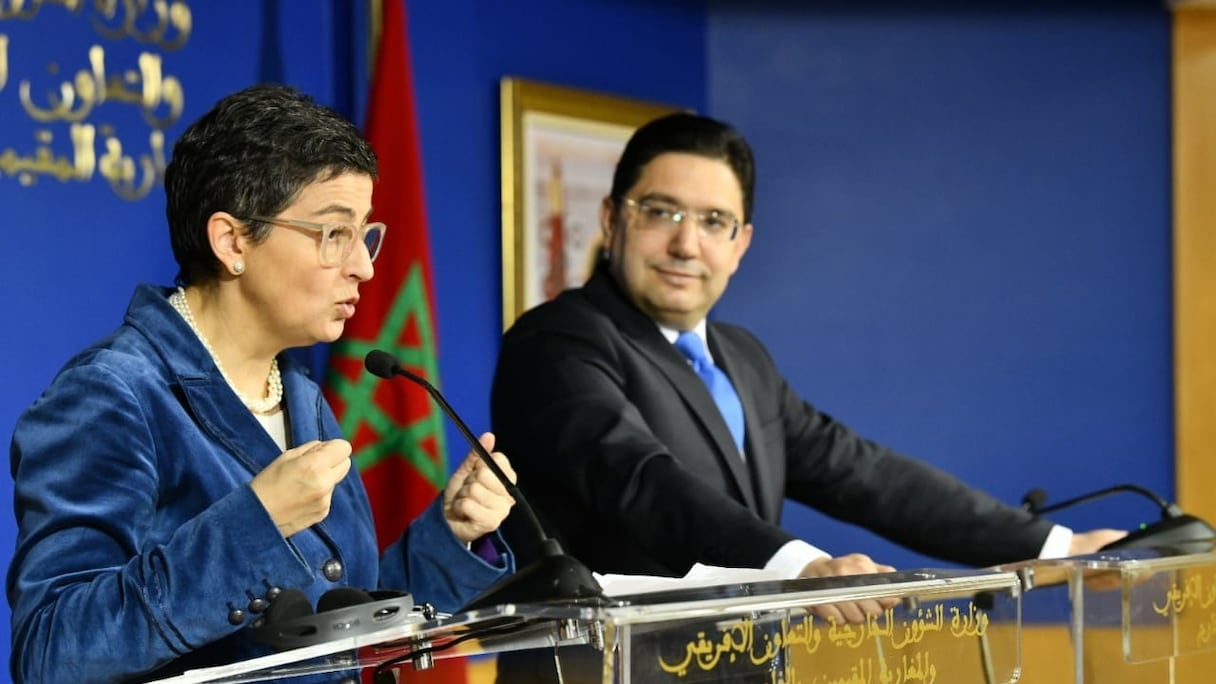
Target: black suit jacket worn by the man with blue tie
pixel 624 456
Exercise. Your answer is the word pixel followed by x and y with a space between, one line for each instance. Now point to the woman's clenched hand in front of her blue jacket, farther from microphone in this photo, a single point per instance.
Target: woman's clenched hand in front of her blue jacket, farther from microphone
pixel 297 487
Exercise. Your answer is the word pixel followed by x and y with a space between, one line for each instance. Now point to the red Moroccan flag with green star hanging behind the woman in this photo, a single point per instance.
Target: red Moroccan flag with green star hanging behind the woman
pixel 395 428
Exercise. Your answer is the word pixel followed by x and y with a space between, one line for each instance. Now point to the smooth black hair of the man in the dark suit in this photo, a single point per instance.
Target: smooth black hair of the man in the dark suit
pixel 690 134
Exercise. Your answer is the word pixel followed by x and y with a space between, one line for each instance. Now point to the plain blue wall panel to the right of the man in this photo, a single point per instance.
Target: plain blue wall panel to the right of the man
pixel 966 214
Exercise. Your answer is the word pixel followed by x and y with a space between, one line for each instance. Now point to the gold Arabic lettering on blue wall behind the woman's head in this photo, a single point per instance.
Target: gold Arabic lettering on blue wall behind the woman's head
pixel 74 134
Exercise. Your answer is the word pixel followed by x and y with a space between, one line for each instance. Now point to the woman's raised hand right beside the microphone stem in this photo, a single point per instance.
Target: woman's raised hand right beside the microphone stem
pixel 475 501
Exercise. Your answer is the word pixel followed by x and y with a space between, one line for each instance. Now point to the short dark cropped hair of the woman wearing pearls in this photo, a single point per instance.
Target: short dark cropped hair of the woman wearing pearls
pixel 252 155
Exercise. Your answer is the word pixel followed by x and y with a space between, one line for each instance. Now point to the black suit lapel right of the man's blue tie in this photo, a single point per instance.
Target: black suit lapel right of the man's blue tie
pixel 729 358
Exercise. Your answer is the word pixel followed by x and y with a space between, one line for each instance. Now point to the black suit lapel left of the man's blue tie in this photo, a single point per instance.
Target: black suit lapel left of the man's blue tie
pixel 645 337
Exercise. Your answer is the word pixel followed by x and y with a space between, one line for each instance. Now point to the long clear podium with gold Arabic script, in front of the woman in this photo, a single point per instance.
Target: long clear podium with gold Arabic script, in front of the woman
pixel 945 627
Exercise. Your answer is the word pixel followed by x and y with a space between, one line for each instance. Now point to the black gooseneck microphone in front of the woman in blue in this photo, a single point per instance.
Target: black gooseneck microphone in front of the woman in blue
pixel 556 576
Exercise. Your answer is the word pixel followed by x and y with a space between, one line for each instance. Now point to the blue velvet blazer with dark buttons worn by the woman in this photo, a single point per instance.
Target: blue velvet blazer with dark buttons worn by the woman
pixel 140 543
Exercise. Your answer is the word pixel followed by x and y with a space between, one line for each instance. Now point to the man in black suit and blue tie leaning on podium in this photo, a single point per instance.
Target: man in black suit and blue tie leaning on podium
pixel 644 455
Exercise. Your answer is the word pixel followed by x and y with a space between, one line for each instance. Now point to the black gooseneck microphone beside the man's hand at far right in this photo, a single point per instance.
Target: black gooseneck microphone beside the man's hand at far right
pixel 1176 530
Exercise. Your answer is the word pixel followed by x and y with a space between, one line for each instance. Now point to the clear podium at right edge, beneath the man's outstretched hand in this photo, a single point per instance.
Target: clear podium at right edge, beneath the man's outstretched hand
pixel 1130 616
